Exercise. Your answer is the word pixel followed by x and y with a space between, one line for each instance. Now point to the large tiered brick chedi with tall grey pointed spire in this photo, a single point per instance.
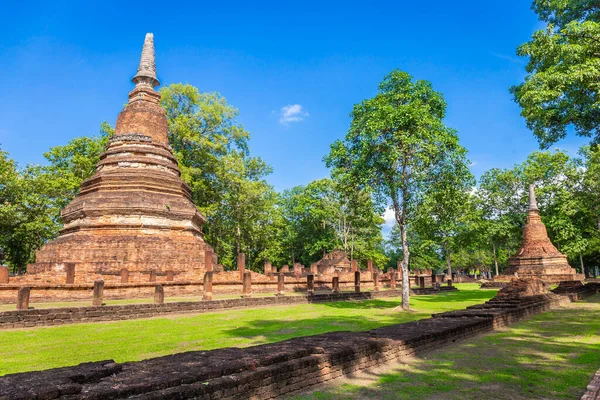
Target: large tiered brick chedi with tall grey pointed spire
pixel 135 212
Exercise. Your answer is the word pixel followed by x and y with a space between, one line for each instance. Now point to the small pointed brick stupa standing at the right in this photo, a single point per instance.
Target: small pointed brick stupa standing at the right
pixel 537 256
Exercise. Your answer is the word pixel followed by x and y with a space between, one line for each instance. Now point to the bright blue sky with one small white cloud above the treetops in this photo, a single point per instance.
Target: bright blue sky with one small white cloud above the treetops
pixel 294 70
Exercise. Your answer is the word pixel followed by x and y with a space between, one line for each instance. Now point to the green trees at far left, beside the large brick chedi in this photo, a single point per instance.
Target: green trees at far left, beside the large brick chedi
pixel 31 199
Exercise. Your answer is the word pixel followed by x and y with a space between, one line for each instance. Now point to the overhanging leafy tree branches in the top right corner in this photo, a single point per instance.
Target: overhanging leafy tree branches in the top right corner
pixel 561 88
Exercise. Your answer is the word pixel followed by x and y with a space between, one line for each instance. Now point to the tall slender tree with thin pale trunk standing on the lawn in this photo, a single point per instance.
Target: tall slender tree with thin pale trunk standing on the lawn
pixel 396 147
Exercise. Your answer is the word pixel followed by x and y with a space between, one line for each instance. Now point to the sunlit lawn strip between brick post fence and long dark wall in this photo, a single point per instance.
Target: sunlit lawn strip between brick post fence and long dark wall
pixel 49 347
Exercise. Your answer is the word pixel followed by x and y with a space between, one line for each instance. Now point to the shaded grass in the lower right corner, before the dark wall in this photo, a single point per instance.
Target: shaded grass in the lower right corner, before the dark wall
pixel 551 356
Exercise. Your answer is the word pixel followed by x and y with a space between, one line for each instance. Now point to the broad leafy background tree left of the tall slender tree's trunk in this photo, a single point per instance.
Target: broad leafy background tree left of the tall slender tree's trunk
pixel 326 215
